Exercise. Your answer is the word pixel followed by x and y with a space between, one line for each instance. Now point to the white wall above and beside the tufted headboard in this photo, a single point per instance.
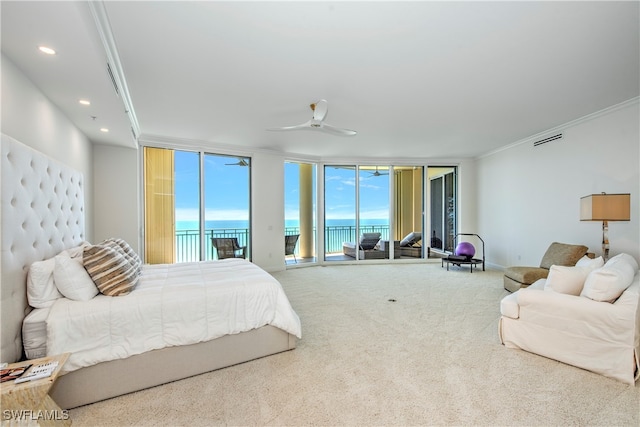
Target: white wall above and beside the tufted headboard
pixel 29 117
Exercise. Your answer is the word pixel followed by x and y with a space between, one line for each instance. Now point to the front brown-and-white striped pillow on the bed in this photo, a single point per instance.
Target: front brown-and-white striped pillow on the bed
pixel 109 268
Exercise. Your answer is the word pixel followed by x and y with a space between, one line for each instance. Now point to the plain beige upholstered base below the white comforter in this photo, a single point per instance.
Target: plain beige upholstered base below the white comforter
pixel 110 379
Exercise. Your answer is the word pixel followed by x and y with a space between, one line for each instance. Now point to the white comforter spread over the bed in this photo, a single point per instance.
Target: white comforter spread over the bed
pixel 173 304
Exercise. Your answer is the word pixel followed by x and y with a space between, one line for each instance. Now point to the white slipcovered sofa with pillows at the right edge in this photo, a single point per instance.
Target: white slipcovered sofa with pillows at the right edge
pixel 586 316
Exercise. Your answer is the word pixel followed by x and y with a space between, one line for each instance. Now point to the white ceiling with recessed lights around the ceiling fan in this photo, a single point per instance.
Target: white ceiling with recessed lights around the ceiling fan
pixel 415 79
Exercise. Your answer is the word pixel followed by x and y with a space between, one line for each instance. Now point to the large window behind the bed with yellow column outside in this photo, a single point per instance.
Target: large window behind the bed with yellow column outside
pixel 191 197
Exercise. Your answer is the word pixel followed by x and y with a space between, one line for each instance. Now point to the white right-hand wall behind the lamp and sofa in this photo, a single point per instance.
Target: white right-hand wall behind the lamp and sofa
pixel 529 197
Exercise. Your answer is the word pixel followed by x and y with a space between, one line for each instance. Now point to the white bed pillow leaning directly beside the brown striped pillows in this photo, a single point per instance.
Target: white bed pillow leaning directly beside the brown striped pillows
pixel 72 280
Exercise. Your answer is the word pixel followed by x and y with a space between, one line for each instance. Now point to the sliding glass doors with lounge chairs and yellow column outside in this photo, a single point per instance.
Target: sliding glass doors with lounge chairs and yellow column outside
pixel 374 212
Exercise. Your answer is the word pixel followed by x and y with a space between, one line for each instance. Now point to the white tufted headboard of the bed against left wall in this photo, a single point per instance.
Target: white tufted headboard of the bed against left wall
pixel 42 214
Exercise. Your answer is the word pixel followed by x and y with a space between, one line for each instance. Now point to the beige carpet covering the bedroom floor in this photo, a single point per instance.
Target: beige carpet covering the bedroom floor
pixel 429 357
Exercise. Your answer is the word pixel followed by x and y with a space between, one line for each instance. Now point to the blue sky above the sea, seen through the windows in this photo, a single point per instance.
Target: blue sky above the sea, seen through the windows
pixel 227 190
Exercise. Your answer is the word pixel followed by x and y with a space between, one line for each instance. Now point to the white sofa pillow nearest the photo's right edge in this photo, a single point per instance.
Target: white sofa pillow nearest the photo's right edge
pixel 609 282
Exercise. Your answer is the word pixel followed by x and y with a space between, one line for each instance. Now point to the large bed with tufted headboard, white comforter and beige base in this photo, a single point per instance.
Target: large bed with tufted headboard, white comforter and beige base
pixel 43 217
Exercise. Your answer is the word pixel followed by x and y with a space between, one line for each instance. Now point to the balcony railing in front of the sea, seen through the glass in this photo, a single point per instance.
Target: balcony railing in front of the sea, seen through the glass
pixel 188 241
